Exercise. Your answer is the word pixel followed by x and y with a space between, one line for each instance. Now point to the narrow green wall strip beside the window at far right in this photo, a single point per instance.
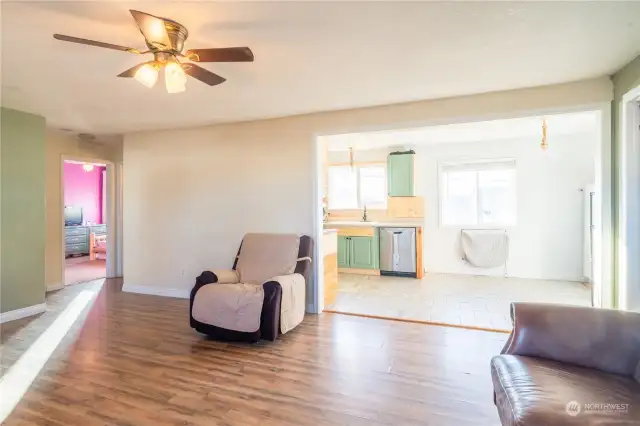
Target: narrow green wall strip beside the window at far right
pixel 623 81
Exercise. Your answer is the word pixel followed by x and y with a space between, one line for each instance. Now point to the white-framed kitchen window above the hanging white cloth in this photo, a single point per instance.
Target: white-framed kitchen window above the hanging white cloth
pixel 478 193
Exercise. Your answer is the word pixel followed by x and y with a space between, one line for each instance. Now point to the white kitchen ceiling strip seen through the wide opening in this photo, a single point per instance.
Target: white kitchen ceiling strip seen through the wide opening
pixel 482 131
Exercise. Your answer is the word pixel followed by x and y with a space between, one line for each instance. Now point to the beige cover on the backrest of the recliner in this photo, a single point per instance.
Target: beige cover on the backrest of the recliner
pixel 264 256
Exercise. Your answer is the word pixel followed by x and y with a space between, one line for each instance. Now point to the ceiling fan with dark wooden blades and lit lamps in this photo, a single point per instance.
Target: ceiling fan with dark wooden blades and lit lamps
pixel 165 40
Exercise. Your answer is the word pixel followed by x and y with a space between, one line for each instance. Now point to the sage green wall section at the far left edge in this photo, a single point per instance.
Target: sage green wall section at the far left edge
pixel 22 205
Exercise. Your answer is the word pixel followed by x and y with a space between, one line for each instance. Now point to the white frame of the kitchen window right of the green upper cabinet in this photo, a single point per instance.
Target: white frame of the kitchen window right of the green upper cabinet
pixel 442 169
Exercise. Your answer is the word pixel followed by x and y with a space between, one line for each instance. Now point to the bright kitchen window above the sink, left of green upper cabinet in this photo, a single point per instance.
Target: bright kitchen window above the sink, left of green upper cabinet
pixel 358 186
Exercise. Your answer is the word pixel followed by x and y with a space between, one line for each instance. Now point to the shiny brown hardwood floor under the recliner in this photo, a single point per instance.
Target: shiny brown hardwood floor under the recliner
pixel 133 360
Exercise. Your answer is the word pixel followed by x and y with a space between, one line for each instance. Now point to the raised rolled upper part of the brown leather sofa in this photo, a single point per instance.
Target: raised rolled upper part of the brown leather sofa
pixel 604 339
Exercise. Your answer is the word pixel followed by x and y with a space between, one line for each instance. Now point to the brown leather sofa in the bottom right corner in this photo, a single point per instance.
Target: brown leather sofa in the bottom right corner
pixel 569 365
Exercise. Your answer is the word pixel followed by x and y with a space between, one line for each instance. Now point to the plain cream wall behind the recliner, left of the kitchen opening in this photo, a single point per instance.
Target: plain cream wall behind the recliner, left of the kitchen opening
pixel 190 196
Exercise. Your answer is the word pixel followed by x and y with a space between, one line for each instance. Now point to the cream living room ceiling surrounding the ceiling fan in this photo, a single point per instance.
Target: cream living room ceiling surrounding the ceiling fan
pixel 309 56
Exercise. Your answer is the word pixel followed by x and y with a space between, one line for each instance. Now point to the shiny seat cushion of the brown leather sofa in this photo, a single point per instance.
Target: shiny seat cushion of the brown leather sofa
pixel 536 391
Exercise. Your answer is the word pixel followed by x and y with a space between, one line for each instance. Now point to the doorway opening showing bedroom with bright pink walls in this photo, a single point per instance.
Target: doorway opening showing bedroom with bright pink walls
pixel 85 233
